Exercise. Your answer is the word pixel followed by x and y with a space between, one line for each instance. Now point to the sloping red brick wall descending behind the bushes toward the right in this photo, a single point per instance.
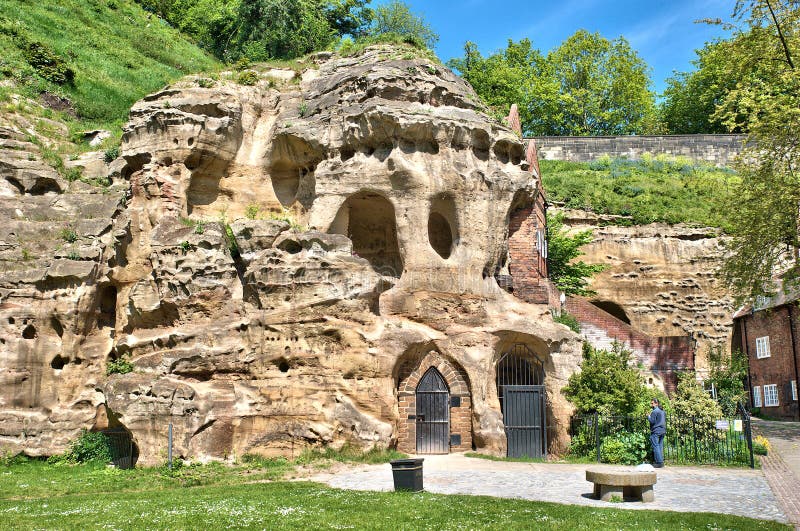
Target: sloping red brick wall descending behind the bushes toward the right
pixel 665 356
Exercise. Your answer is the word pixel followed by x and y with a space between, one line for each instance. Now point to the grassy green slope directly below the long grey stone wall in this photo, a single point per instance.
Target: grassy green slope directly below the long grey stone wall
pixel 648 190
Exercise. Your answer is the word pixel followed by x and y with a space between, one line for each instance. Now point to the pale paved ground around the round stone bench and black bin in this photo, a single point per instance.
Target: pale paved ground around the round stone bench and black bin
pixel 742 492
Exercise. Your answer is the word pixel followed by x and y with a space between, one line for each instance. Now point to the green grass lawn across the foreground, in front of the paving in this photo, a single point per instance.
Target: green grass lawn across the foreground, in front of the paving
pixel 36 495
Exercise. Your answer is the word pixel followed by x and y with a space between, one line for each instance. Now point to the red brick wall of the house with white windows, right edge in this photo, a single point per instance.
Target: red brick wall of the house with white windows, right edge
pixel 779 368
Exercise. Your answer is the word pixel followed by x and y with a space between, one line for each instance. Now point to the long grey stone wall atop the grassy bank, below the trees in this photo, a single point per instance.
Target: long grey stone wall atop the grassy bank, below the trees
pixel 719 150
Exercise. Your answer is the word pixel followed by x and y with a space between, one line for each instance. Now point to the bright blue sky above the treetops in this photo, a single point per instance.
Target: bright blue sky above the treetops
pixel 663 32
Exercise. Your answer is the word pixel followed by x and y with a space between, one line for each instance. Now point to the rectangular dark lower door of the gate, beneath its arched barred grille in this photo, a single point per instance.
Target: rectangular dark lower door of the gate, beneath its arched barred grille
pixel 523 416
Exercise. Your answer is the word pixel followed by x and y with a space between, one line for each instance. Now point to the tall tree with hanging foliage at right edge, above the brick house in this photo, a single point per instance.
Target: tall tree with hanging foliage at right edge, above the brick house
pixel 765 104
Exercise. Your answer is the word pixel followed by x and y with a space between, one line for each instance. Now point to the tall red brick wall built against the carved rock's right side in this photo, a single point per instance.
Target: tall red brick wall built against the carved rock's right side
pixel 527 266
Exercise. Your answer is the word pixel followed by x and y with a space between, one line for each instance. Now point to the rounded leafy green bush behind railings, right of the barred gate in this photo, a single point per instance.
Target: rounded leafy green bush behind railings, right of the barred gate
pixel 606 383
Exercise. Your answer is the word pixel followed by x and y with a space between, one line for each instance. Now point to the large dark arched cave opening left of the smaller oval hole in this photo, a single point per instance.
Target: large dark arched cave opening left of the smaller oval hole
pixel 368 219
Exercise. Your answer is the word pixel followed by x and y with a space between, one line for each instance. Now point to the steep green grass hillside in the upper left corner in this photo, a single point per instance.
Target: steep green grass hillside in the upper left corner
pixel 118 51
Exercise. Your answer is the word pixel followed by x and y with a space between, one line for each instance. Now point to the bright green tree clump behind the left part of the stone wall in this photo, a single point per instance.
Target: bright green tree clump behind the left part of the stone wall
pixel 587 86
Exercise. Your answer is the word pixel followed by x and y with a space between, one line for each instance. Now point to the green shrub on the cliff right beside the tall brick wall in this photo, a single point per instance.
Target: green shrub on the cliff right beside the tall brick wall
pixel 570 276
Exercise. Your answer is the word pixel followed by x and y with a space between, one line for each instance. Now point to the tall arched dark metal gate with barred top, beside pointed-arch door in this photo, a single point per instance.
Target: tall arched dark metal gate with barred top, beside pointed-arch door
pixel 520 386
